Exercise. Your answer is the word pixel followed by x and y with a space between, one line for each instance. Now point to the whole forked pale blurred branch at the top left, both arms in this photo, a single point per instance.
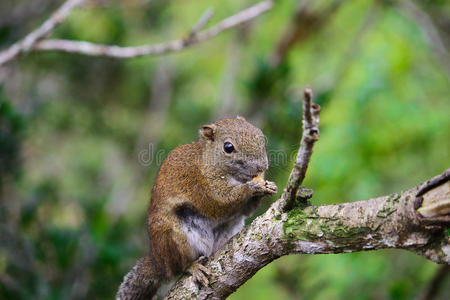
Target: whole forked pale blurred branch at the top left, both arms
pixel 33 43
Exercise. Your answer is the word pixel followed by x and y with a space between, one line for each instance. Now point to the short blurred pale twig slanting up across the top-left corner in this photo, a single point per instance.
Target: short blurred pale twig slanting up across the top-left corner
pixel 27 43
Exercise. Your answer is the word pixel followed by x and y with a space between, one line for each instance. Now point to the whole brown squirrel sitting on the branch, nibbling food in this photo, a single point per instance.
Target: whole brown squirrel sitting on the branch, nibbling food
pixel 202 195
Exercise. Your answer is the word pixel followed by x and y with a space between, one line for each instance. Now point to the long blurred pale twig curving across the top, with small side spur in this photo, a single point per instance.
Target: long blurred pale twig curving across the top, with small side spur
pixel 93 49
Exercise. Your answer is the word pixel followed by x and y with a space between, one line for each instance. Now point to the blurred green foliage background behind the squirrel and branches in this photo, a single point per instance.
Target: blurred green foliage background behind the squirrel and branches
pixel 81 138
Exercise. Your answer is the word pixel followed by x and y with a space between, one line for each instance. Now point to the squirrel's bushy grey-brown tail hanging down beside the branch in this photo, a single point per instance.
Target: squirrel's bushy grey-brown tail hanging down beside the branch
pixel 141 282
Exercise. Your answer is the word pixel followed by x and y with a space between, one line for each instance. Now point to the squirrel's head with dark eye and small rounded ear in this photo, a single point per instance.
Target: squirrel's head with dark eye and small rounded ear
pixel 235 147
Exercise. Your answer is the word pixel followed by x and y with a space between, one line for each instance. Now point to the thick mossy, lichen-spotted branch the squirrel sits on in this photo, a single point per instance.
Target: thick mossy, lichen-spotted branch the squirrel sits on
pixel 379 223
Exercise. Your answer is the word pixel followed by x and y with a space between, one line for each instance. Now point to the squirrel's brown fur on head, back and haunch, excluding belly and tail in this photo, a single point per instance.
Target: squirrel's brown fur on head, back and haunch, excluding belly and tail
pixel 202 179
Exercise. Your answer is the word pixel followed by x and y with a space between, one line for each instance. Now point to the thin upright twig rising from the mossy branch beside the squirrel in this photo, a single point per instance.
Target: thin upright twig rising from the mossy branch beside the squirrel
pixel 310 135
